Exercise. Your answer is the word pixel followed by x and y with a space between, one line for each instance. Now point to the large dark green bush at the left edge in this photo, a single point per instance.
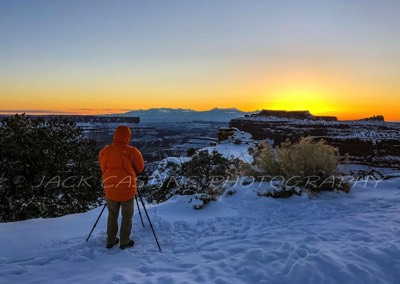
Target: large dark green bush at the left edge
pixel 47 169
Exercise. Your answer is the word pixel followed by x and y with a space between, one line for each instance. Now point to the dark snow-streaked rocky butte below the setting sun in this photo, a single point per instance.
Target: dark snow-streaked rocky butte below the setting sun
pixel 371 141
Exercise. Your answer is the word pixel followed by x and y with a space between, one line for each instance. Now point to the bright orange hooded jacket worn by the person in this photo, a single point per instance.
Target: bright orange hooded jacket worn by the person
pixel 119 164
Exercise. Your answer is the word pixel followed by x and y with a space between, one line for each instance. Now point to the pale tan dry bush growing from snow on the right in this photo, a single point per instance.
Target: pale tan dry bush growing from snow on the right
pixel 310 164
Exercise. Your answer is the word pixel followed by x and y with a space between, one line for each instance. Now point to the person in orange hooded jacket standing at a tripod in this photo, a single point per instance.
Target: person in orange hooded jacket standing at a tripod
pixel 119 164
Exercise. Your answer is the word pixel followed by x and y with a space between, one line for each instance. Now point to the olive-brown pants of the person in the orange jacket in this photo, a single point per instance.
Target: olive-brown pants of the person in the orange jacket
pixel 126 222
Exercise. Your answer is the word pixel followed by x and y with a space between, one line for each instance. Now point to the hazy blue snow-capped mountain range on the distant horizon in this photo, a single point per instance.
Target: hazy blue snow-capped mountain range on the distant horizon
pixel 182 115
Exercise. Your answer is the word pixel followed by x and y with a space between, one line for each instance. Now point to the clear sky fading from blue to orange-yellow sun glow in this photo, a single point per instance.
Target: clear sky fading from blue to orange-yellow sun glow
pixel 339 57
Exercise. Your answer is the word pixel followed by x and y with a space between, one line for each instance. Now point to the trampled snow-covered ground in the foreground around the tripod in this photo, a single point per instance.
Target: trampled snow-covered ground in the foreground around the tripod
pixel 242 238
